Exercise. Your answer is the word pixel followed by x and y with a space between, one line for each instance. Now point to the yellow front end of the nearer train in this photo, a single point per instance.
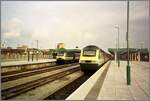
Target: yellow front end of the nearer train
pixel 90 58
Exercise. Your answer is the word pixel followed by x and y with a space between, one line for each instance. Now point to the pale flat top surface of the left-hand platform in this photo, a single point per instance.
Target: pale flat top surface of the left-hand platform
pixel 12 63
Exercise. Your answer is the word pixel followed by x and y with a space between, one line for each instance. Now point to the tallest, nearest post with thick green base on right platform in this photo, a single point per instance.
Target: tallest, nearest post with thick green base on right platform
pixel 128 65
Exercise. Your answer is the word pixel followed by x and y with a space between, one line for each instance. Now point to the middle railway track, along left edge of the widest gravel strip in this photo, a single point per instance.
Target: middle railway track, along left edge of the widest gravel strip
pixel 16 90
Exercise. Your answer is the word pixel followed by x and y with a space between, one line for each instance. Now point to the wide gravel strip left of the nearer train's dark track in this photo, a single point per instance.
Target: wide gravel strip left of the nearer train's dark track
pixel 49 88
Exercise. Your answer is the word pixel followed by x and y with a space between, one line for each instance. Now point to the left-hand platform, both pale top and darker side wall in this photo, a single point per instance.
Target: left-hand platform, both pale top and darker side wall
pixel 22 65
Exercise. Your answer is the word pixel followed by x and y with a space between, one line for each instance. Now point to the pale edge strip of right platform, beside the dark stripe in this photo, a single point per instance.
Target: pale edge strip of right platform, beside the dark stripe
pixel 84 90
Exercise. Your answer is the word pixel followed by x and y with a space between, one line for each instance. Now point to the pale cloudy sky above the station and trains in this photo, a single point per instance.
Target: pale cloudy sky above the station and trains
pixel 75 23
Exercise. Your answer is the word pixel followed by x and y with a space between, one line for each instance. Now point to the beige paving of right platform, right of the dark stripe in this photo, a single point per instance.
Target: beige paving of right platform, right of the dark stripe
pixel 115 84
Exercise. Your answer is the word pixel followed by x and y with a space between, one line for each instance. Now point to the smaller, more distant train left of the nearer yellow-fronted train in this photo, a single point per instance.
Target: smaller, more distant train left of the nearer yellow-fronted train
pixel 68 56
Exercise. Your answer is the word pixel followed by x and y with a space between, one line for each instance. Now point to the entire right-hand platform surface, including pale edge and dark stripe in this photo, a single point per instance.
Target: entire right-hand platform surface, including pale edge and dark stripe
pixel 111 84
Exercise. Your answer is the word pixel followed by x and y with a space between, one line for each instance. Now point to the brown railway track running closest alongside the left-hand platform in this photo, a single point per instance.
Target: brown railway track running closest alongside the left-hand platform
pixel 19 74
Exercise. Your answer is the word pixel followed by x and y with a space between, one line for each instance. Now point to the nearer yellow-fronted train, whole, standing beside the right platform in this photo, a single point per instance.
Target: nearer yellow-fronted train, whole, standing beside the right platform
pixel 92 58
